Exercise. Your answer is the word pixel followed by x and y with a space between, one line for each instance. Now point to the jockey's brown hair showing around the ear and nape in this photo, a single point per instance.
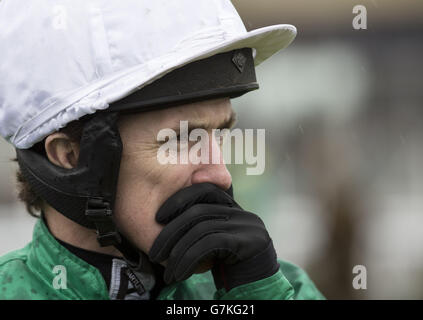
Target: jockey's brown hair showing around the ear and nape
pixel 34 204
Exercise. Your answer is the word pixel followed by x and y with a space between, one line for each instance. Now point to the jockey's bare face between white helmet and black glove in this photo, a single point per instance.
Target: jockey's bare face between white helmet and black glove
pixel 144 183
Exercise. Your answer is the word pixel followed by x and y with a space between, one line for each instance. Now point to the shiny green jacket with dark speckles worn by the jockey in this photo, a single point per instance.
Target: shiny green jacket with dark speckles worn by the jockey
pixel 29 273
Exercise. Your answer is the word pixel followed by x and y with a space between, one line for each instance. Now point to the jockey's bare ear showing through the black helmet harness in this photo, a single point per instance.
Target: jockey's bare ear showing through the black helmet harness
pixel 61 150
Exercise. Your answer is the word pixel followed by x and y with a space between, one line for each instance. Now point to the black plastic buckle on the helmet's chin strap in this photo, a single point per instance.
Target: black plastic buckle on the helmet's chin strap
pixel 98 211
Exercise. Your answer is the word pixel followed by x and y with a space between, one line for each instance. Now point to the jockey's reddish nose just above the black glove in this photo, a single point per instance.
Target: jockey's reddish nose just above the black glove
pixel 214 171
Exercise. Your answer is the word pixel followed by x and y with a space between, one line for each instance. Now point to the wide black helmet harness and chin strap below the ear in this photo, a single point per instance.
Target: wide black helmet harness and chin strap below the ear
pixel 86 194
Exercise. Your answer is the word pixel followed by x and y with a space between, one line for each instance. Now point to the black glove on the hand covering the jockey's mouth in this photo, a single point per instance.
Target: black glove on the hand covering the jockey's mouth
pixel 204 223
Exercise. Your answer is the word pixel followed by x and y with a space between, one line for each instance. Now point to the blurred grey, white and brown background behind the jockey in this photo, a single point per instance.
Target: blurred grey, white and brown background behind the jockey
pixel 342 109
